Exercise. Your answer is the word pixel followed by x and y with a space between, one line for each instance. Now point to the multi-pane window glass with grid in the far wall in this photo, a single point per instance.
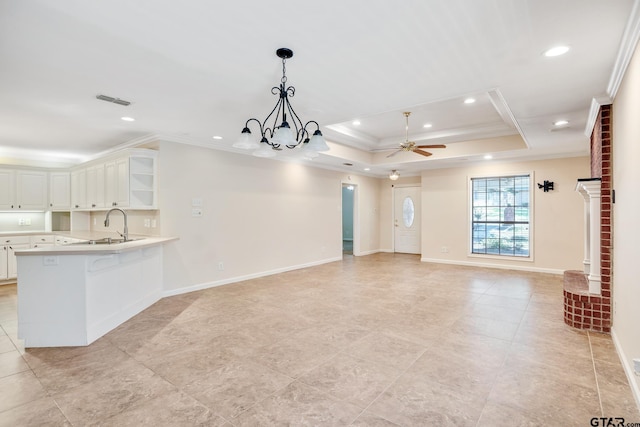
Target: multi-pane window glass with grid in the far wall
pixel 500 212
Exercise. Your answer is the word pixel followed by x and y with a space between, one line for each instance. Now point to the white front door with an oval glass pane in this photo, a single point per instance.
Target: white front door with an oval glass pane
pixel 406 216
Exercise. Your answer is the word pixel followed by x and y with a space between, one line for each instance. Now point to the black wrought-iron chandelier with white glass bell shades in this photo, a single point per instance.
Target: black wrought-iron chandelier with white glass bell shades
pixel 286 130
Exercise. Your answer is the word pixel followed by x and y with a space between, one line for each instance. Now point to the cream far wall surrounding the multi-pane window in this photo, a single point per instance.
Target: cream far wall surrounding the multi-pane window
pixel 557 216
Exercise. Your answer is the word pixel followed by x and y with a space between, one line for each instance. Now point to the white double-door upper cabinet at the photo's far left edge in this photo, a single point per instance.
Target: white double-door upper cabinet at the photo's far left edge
pixel 23 190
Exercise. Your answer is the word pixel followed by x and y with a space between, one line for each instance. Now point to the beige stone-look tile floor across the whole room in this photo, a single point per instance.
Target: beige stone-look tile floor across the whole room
pixel 381 340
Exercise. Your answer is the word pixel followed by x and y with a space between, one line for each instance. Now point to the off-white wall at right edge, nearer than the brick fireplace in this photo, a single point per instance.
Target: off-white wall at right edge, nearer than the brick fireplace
pixel 626 219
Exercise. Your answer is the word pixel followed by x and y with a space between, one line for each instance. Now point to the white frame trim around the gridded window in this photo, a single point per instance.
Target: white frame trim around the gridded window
pixel 470 253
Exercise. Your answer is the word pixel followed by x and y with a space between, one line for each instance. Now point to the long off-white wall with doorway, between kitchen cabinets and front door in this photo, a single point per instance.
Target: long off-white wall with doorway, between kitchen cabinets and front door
pixel 259 215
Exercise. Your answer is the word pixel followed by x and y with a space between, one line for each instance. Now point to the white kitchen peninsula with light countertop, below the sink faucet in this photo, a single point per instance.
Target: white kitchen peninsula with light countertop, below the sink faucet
pixel 72 295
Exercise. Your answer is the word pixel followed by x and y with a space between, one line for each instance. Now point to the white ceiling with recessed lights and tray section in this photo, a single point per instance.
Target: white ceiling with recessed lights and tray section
pixel 200 68
